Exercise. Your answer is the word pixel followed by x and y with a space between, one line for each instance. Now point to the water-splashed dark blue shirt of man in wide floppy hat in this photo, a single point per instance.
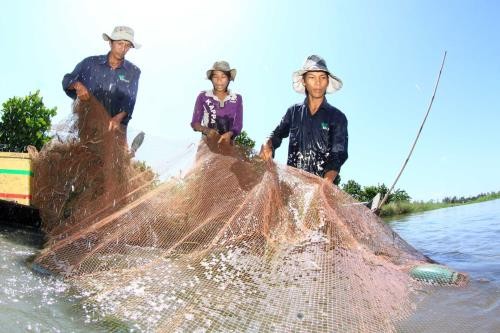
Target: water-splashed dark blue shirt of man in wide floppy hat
pixel 318 143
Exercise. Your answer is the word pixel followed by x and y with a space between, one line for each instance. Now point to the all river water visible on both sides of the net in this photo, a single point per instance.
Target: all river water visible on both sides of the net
pixel 466 238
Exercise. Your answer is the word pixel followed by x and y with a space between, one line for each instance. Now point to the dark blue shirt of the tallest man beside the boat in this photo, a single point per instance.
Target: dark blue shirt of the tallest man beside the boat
pixel 116 88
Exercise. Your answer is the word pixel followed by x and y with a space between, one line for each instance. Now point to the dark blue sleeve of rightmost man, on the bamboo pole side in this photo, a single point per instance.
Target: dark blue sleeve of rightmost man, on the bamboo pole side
pixel 338 144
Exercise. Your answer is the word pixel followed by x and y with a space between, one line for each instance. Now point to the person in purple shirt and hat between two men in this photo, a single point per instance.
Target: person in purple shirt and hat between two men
pixel 219 111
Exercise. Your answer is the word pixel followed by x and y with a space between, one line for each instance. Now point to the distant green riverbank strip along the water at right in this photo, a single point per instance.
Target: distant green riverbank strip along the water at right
pixel 396 209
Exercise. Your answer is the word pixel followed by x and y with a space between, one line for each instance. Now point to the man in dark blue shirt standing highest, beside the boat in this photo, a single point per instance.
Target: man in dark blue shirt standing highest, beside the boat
pixel 110 78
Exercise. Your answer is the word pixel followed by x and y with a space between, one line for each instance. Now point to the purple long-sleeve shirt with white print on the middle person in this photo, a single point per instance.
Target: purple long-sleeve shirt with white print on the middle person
pixel 224 116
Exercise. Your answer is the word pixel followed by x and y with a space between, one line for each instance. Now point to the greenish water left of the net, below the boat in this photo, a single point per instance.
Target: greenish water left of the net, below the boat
pixel 31 302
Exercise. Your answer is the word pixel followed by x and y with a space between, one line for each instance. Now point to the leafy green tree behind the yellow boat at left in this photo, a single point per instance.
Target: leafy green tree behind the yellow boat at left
pixel 25 121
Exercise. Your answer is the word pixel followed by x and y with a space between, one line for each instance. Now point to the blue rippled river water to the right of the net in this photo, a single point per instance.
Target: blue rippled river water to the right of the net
pixel 465 238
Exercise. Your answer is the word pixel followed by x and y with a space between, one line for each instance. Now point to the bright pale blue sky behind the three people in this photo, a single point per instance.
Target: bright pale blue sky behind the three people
pixel 387 53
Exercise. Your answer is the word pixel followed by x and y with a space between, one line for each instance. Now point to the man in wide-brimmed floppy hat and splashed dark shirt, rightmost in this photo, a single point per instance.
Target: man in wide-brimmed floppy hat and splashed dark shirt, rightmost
pixel 317 130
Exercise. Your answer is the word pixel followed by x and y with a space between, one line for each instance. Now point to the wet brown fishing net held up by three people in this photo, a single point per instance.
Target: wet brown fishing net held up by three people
pixel 235 245
